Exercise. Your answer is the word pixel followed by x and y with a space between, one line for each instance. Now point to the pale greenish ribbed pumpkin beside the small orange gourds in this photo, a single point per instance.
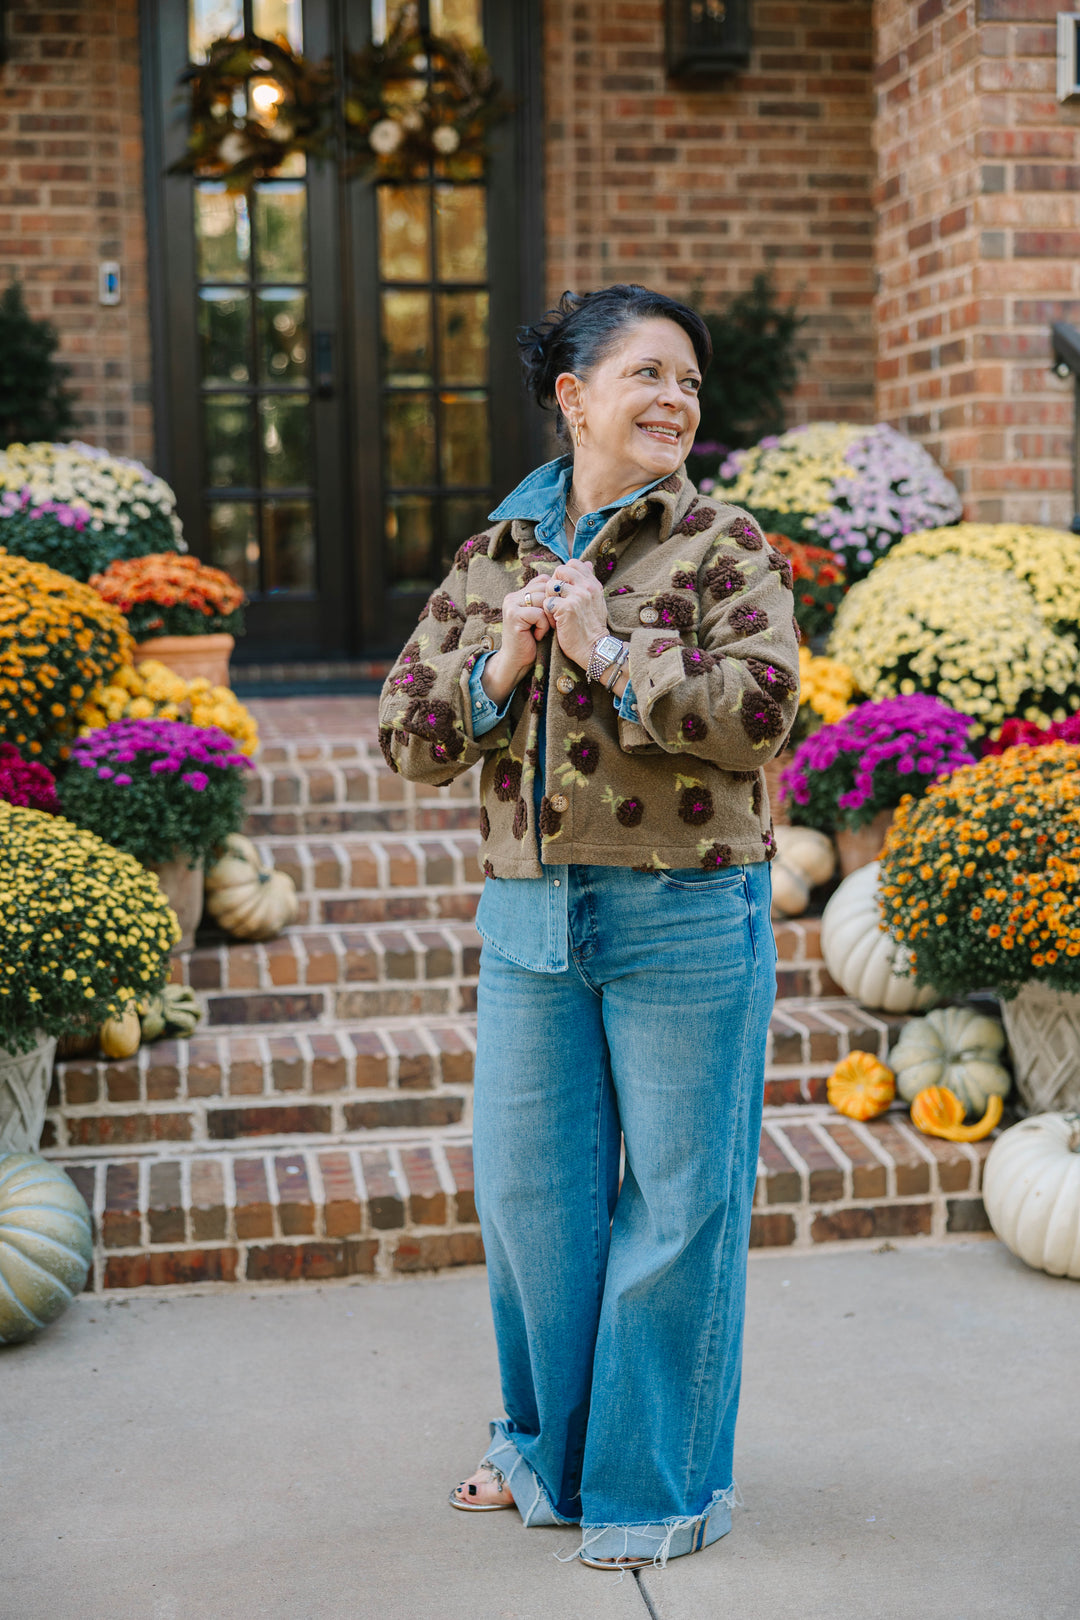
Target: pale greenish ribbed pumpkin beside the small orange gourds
pixel 958 1049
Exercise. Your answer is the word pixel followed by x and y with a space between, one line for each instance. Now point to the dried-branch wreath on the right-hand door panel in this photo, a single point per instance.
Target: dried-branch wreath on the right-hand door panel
pixel 420 100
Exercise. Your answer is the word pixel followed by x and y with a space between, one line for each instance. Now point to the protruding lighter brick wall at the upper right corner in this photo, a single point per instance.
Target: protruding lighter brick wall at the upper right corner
pixel 979 244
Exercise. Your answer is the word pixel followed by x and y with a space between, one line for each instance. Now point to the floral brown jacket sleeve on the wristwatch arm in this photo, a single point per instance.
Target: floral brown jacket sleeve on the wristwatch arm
pixel 734 696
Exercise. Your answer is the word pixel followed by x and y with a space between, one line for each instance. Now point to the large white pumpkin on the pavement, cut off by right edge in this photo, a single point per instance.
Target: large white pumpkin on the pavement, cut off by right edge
pixel 1032 1192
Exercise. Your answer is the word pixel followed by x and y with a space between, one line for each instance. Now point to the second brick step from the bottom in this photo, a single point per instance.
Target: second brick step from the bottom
pixel 406 1075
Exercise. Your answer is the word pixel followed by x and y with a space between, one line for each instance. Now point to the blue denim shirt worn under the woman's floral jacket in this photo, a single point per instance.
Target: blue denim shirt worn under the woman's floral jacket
pixel 522 919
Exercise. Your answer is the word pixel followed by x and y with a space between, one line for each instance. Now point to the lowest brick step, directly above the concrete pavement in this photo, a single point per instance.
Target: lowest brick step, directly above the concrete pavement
pixel 302 1211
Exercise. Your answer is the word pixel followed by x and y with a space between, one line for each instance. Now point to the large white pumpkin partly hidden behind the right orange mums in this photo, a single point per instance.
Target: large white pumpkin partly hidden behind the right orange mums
pixel 861 955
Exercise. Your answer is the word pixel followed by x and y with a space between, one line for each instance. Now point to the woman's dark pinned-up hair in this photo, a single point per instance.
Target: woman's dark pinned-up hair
pixel 579 333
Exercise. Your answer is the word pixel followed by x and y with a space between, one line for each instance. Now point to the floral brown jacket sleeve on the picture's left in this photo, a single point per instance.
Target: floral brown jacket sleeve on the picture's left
pixel 427 709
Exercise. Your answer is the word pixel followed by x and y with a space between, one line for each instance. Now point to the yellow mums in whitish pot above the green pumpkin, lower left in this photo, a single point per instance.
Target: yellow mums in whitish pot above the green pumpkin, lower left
pixel 85 931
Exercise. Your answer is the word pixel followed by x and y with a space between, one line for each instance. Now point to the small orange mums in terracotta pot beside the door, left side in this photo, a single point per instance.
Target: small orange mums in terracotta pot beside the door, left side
pixel 181 612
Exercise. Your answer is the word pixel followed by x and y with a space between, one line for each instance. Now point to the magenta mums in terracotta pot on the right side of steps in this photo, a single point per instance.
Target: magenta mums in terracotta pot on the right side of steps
pixel 849 777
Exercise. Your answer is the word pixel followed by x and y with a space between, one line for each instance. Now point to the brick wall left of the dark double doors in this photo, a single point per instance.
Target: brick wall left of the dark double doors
pixel 72 195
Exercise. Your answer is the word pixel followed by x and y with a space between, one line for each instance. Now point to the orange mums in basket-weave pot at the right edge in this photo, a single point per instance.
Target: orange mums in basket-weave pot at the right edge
pixel 980 879
